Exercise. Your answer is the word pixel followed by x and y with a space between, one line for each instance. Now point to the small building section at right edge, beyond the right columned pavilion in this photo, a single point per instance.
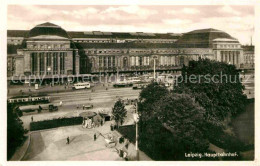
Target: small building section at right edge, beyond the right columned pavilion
pixel 249 56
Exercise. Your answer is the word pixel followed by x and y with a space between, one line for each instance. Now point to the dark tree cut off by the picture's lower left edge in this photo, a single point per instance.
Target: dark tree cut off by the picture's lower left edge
pixel 15 130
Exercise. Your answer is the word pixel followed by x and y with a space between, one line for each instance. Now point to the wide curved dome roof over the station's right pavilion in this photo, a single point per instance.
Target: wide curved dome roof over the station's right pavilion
pixel 202 38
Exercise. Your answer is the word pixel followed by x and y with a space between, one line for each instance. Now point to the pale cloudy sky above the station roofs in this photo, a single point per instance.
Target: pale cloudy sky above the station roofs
pixel 238 21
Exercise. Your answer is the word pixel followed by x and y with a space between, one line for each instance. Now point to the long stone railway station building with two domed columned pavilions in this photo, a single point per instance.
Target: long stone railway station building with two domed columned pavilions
pixel 48 50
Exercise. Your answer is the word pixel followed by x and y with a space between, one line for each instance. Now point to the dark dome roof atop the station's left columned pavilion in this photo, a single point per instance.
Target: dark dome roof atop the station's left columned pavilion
pixel 48 29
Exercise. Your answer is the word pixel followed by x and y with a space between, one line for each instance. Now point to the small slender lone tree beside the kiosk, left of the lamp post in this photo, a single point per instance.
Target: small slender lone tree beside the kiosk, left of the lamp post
pixel 119 112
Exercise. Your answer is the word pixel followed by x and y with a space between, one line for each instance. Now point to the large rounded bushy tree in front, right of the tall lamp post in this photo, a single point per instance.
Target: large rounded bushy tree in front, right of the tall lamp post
pixel 175 128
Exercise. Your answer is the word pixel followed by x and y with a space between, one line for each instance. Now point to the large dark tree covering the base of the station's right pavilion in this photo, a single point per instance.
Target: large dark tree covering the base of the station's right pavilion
pixel 216 86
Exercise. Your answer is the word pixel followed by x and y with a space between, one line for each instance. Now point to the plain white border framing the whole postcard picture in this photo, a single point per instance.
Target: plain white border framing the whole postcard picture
pixel 3 90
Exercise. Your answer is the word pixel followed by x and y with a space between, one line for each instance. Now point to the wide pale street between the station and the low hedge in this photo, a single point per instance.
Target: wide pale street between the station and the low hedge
pixel 101 99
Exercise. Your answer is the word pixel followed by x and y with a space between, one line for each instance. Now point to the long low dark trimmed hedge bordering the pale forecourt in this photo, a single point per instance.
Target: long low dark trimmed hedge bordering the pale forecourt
pixel 53 123
